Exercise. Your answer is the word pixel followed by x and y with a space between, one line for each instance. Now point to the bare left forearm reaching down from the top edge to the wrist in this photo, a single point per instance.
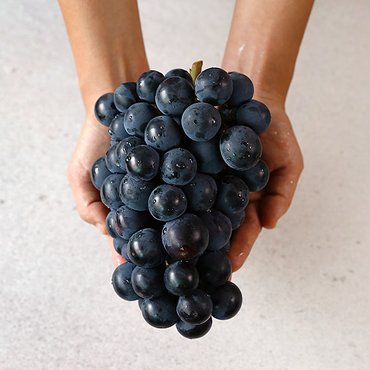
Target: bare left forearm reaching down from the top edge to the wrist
pixel 107 44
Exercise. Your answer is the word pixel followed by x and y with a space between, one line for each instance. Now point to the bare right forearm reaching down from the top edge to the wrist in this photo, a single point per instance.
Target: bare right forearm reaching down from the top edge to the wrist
pixel 264 41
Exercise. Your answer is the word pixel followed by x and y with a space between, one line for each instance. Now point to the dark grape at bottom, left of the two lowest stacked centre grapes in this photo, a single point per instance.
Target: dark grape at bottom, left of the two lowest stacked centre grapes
pixel 160 312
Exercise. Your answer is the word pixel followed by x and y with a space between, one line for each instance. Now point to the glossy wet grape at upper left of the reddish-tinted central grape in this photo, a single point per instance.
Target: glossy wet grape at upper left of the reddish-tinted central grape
pixel 167 202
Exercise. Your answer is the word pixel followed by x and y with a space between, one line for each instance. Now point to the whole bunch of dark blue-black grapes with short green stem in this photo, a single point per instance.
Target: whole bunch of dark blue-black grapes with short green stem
pixel 185 154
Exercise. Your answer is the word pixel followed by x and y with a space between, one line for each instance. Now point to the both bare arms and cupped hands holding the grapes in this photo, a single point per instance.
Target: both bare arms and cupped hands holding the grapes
pixel 263 43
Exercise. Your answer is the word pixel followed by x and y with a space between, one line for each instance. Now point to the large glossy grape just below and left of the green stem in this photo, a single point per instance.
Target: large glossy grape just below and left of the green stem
pixel 174 95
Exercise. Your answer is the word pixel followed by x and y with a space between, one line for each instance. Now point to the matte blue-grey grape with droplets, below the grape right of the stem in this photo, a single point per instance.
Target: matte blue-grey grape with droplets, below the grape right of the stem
pixel 201 121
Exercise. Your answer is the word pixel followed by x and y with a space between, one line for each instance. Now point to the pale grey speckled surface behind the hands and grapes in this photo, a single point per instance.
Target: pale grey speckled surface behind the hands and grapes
pixel 306 284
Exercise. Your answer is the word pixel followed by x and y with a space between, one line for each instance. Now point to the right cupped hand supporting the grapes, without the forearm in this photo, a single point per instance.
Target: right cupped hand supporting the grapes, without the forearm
pixel 283 156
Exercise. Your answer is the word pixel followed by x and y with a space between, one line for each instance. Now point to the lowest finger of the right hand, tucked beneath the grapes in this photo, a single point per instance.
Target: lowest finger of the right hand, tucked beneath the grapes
pixel 244 238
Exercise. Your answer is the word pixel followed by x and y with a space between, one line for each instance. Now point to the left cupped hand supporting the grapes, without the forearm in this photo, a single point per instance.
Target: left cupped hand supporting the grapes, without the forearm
pixel 93 142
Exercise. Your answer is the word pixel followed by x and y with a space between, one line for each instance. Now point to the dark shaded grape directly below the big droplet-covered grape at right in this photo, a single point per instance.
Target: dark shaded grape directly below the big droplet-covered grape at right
pixel 233 194
